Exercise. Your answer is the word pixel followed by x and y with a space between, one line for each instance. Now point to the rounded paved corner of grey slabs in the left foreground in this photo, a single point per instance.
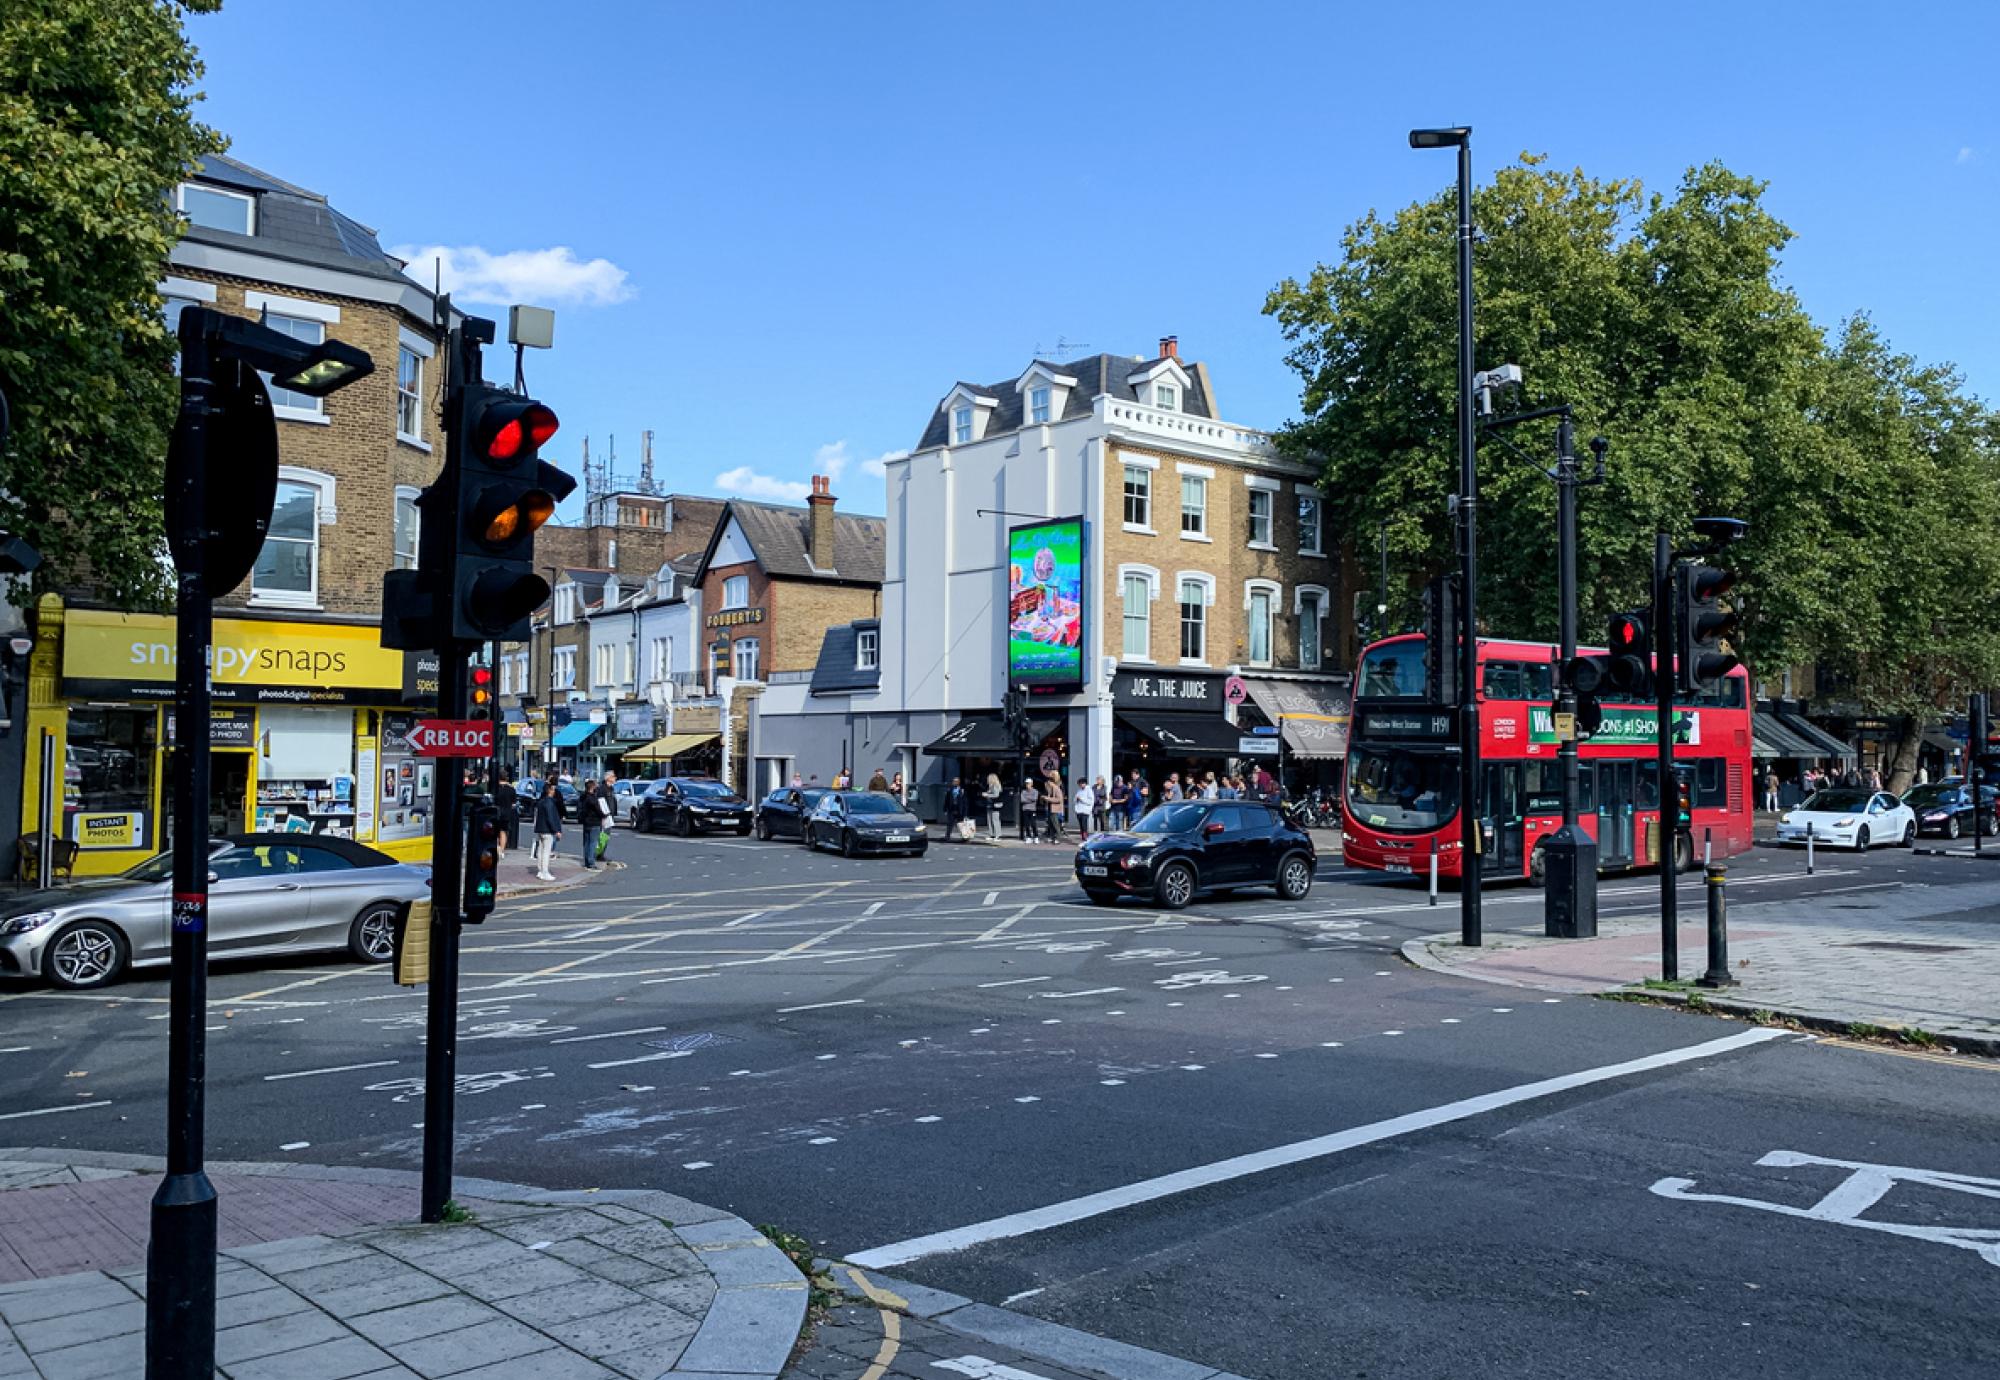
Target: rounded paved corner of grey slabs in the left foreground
pixel 325 1275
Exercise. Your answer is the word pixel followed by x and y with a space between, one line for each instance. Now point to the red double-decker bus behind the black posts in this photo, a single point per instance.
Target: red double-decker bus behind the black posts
pixel 1401 797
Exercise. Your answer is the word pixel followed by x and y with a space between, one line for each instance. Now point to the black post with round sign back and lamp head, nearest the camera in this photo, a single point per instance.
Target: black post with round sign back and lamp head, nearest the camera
pixel 215 535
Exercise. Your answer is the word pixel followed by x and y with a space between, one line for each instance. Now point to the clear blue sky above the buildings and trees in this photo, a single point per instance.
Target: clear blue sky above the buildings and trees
pixel 775 235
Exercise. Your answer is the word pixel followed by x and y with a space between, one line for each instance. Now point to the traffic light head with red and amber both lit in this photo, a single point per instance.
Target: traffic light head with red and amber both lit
pixel 501 493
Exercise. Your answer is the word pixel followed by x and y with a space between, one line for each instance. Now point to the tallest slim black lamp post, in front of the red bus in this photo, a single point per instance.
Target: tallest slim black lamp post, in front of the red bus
pixel 1469 561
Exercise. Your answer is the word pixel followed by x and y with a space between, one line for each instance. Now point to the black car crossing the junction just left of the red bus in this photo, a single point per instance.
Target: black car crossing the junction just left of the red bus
pixel 1187 847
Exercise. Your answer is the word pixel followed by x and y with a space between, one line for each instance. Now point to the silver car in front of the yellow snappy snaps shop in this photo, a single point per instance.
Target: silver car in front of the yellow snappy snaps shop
pixel 267 895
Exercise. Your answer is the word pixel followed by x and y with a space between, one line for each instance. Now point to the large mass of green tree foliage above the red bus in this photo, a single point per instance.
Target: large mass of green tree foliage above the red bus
pixel 1663 323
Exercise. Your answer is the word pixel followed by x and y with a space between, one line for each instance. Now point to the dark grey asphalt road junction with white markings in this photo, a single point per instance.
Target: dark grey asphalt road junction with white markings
pixel 1247 1133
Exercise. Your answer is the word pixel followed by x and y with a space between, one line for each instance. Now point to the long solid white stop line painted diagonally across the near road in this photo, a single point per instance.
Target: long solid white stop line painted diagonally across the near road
pixel 1277 1157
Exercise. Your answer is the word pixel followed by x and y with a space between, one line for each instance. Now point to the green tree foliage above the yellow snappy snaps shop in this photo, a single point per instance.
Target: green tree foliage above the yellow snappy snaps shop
pixel 97 129
